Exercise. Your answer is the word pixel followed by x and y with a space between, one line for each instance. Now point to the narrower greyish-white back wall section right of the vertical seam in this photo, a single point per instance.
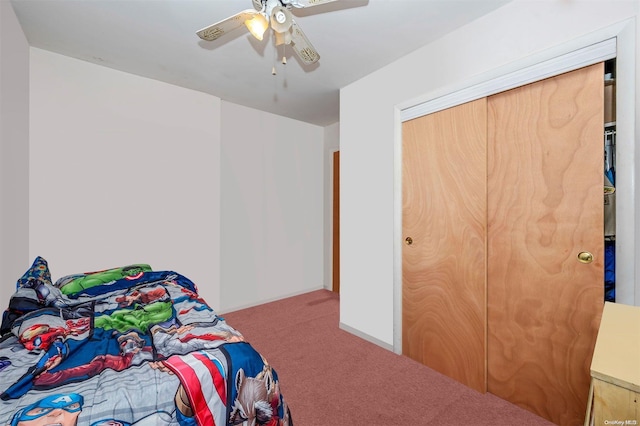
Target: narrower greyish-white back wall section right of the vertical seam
pixel 271 207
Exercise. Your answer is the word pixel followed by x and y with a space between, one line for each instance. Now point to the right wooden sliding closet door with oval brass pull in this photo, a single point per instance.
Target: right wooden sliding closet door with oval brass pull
pixel 544 206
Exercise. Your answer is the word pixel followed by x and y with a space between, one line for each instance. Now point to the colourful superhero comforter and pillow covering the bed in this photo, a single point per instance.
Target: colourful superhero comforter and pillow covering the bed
pixel 127 346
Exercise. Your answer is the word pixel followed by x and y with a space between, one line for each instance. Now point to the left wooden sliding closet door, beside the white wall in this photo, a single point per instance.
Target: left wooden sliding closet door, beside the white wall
pixel 444 215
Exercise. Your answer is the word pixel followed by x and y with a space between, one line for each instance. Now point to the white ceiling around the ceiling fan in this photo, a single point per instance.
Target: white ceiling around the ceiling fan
pixel 157 39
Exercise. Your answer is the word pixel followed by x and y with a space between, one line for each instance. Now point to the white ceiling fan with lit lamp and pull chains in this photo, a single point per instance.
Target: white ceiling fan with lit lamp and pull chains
pixel 274 13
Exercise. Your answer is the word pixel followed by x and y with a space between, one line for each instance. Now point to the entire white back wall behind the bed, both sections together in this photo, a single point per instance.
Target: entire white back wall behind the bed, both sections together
pixel 124 169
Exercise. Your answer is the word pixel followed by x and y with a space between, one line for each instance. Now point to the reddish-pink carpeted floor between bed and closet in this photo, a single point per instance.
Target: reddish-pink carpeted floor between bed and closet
pixel 330 377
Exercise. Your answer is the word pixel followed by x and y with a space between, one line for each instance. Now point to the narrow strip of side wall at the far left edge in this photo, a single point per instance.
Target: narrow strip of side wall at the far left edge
pixel 14 152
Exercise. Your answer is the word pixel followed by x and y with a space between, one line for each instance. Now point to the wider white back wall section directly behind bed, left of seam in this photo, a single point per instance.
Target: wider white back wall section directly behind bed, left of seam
pixel 123 169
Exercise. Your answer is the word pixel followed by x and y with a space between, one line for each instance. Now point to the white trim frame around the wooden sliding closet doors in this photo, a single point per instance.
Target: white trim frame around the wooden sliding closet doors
pixel 616 41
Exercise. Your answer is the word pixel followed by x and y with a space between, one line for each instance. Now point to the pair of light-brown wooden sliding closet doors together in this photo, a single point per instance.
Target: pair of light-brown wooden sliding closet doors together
pixel 503 253
